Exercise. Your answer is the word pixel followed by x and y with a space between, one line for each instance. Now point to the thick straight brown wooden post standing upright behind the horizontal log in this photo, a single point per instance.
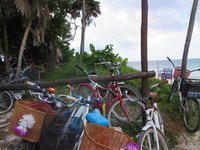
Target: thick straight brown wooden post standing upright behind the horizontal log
pixel 144 62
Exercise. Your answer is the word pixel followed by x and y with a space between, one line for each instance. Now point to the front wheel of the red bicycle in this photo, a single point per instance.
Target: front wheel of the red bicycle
pixel 117 116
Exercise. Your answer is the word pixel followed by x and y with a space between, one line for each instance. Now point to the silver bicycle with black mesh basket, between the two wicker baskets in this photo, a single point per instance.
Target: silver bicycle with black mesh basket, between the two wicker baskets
pixel 67 127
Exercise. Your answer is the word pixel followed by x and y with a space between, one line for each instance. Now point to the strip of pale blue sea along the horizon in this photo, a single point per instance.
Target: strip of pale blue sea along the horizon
pixel 159 65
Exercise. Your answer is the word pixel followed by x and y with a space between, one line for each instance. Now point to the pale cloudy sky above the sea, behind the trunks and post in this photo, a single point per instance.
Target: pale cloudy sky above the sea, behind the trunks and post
pixel 120 25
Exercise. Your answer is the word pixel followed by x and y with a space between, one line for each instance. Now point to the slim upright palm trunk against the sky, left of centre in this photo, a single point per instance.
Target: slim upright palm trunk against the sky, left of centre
pixel 83 22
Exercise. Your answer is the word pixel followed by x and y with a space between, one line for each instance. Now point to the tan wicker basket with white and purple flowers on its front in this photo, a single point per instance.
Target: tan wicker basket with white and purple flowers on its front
pixel 41 118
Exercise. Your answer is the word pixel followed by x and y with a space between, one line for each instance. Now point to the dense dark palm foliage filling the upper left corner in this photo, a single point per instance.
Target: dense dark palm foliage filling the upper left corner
pixel 42 29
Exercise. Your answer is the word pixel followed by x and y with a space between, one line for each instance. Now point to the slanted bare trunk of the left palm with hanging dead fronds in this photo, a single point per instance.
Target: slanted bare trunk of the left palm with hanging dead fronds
pixel 22 47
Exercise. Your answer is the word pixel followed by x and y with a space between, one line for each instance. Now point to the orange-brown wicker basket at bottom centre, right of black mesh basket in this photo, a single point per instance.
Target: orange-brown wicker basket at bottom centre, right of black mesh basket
pixel 97 137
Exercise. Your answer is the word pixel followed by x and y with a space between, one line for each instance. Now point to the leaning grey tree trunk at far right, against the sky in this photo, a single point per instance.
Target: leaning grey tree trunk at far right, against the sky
pixel 188 38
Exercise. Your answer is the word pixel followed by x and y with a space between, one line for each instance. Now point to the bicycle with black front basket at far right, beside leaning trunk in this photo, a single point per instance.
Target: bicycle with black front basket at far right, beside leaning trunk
pixel 189 106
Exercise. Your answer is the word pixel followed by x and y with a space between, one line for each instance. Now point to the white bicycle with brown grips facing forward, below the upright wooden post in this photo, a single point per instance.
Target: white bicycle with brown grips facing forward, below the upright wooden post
pixel 151 135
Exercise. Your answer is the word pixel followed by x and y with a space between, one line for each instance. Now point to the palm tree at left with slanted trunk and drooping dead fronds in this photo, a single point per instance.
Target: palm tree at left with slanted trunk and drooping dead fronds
pixel 35 10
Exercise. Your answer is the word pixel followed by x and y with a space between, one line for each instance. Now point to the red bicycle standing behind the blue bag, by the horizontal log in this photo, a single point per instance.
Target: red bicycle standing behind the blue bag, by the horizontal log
pixel 118 101
